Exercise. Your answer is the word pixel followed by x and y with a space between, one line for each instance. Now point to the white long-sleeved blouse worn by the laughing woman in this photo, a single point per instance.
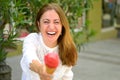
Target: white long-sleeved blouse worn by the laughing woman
pixel 34 48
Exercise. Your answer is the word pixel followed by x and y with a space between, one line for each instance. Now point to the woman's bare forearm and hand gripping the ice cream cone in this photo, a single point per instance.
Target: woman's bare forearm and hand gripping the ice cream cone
pixel 40 69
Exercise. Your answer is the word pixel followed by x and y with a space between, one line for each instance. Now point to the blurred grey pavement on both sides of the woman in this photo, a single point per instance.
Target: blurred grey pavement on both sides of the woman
pixel 98 60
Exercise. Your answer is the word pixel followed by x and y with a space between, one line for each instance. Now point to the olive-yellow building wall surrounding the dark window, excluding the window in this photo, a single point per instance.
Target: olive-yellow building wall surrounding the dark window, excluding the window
pixel 95 18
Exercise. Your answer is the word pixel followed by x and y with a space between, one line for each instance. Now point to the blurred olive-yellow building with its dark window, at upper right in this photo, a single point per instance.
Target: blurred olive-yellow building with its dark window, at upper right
pixel 104 19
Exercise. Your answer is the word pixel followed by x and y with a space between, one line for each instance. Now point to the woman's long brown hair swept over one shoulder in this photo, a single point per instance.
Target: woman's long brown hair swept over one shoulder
pixel 67 49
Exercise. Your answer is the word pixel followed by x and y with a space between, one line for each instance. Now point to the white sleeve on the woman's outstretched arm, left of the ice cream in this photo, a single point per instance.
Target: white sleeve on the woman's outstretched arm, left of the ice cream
pixel 29 53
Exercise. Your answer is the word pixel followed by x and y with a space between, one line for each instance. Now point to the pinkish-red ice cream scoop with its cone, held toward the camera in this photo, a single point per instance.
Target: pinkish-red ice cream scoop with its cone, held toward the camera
pixel 51 62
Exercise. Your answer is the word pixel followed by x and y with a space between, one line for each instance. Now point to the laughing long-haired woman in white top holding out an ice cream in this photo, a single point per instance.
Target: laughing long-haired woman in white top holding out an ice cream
pixel 53 36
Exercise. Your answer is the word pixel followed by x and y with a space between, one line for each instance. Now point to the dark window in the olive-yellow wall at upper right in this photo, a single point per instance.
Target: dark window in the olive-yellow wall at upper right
pixel 109 13
